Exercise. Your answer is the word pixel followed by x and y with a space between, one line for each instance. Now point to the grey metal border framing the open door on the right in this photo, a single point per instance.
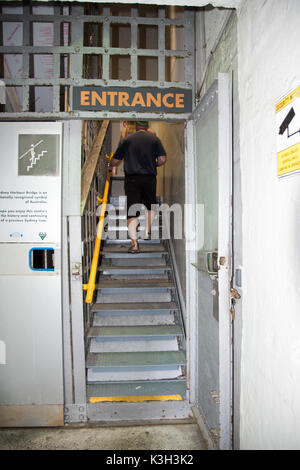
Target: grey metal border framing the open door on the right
pixel 222 90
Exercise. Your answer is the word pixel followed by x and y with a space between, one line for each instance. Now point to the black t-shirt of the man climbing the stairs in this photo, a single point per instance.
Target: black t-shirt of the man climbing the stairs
pixel 140 151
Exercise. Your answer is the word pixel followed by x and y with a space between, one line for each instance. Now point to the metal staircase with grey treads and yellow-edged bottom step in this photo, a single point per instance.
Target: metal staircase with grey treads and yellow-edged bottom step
pixel 136 344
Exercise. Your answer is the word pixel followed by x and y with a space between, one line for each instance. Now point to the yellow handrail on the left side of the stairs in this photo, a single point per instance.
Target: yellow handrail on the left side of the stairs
pixel 90 287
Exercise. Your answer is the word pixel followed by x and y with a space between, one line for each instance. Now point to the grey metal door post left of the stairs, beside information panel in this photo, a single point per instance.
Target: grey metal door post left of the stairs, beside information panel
pixel 72 298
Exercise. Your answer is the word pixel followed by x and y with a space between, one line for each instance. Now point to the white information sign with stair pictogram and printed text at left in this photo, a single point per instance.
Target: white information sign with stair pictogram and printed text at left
pixel 30 184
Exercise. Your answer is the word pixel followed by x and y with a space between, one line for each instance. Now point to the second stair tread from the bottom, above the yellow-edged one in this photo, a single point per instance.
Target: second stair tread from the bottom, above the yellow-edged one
pixel 132 359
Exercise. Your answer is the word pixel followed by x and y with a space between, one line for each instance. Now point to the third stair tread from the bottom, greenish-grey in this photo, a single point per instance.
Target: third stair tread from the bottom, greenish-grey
pixel 130 331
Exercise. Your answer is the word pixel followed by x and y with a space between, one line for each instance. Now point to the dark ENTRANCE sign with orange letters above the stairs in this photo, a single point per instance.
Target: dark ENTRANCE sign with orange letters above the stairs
pixel 171 100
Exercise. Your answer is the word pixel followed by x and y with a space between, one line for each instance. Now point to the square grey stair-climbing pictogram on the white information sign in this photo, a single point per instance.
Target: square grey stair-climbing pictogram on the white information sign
pixel 38 155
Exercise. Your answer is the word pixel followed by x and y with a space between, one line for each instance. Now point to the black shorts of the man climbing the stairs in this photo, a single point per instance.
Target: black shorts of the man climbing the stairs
pixel 140 189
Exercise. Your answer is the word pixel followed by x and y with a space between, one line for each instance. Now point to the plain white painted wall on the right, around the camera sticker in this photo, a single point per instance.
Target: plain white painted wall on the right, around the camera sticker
pixel 268 56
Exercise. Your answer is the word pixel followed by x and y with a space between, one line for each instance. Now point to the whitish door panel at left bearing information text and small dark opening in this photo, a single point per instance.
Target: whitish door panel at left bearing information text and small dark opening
pixel 31 377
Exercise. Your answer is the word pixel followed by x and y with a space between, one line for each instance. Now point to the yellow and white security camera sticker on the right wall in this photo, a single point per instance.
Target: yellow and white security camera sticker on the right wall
pixel 288 134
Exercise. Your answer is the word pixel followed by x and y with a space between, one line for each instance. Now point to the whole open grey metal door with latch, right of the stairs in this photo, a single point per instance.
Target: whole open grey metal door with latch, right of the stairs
pixel 213 157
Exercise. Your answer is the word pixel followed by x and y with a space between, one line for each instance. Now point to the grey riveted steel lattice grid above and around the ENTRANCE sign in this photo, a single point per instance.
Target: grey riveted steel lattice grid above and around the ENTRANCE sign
pixel 78 50
